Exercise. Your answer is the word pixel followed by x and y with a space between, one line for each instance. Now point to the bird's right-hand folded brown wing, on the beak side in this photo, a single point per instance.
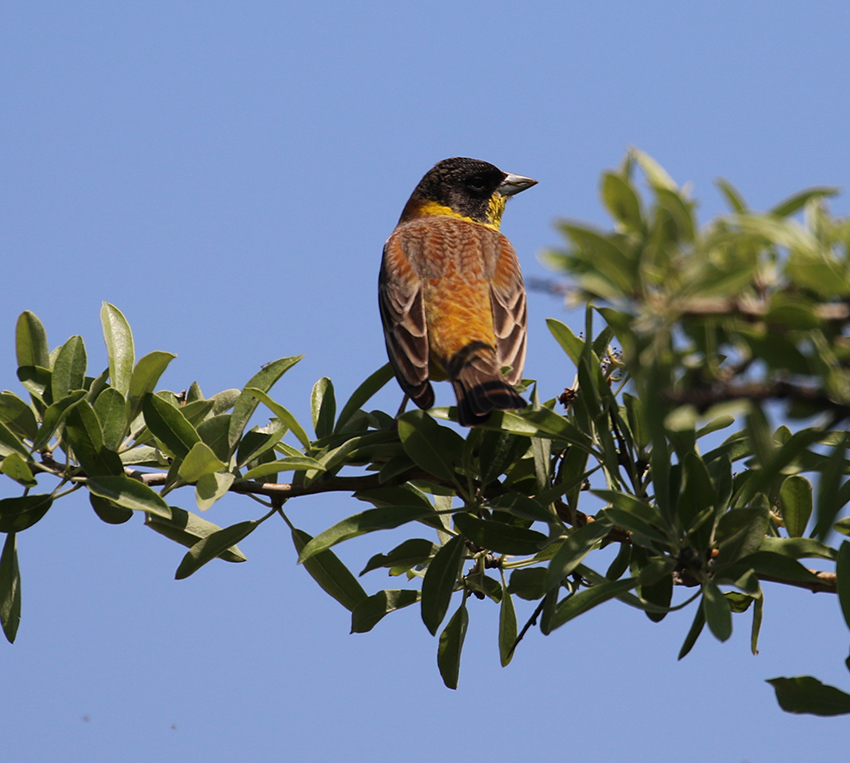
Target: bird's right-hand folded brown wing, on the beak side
pixel 510 313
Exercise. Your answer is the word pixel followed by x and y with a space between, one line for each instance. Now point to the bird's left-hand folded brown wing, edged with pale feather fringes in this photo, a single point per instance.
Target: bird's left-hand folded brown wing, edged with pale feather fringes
pixel 403 317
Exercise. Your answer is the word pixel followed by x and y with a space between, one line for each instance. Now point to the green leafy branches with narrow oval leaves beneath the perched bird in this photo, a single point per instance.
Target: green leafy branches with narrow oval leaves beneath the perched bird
pixel 714 324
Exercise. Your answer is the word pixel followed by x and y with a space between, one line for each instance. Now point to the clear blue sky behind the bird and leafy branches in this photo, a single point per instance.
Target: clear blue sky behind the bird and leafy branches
pixel 226 174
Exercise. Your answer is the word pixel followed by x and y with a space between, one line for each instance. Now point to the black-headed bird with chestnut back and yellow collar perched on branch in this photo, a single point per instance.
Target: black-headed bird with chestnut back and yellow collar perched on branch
pixel 451 294
